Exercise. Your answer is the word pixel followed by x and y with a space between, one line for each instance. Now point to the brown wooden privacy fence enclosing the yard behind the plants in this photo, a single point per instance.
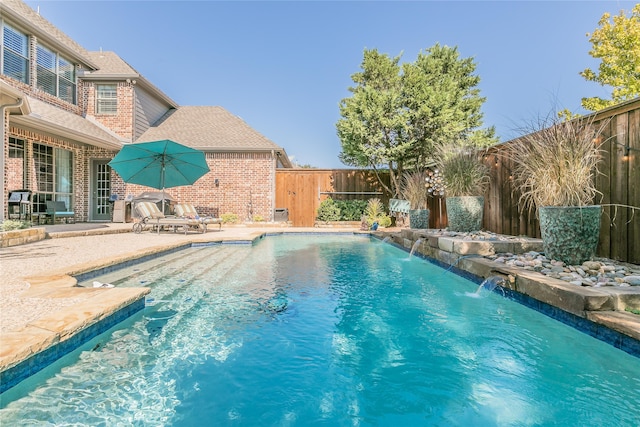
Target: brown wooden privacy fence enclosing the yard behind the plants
pixel 301 191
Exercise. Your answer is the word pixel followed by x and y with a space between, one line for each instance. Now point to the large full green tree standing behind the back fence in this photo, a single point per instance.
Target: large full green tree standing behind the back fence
pixel 397 114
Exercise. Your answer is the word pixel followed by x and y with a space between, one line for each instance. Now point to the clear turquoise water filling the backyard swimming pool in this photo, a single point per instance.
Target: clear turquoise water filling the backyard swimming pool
pixel 330 331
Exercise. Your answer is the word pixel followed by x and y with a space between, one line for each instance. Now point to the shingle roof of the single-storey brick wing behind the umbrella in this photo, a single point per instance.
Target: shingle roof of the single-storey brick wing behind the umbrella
pixel 208 128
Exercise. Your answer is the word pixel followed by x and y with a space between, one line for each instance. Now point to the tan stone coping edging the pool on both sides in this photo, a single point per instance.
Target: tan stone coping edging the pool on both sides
pixel 602 306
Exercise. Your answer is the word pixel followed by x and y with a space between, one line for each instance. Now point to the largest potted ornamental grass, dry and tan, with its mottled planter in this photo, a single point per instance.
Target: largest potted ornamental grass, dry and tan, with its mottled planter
pixel 555 164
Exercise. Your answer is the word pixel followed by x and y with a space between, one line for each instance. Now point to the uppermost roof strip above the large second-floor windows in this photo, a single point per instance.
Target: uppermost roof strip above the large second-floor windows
pixel 31 21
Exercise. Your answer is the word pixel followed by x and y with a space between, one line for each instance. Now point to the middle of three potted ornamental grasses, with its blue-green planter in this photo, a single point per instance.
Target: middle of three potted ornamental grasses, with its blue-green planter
pixel 465 178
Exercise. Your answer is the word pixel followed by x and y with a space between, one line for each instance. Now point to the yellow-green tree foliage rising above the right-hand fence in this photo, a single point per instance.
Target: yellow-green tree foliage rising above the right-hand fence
pixel 616 42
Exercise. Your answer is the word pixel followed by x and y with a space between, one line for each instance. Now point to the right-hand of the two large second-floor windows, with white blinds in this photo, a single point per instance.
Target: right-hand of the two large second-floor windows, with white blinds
pixel 56 75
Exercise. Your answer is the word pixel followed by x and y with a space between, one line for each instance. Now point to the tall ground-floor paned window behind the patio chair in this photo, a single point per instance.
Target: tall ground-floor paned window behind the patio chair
pixel 53 176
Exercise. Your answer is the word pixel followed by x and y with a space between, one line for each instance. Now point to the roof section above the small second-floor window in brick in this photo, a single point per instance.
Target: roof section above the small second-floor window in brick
pixel 113 67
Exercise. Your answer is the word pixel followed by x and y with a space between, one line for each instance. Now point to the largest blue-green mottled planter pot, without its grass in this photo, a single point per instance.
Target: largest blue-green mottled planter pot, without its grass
pixel 570 233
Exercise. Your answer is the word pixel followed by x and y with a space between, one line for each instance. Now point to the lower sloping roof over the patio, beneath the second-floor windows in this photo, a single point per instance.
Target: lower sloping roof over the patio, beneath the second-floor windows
pixel 48 118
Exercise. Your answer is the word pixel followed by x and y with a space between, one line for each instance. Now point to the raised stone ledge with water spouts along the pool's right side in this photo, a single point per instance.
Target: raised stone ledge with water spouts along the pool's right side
pixel 604 306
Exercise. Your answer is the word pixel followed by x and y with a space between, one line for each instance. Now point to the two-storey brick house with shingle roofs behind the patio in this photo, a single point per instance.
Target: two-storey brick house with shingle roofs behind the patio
pixel 67 111
